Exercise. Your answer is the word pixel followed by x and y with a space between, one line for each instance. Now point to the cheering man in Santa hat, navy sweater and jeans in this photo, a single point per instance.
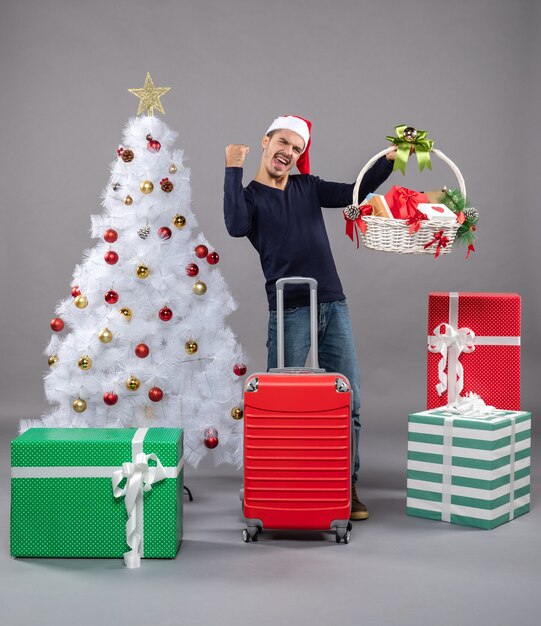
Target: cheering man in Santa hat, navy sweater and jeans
pixel 281 215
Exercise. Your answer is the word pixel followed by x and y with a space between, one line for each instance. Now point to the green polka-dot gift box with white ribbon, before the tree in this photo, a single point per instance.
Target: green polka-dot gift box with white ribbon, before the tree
pixel 97 492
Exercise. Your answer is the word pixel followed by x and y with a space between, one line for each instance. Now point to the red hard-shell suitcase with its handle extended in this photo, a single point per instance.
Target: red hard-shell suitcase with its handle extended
pixel 297 442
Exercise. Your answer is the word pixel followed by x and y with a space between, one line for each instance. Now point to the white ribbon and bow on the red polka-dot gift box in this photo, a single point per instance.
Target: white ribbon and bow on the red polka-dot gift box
pixel 450 341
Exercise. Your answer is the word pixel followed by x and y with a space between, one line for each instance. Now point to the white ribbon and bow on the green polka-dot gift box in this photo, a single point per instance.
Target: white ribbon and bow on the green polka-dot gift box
pixel 139 475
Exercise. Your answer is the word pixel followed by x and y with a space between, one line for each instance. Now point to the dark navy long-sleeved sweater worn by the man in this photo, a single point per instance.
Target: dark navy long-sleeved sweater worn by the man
pixel 286 227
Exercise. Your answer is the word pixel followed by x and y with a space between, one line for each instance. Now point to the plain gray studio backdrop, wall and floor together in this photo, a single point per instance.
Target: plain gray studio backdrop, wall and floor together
pixel 469 72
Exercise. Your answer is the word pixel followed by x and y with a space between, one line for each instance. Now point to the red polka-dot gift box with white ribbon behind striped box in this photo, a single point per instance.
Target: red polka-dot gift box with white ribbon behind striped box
pixel 474 345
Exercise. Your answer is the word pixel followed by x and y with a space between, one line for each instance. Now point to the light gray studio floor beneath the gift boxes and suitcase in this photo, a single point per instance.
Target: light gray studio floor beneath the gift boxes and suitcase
pixel 396 570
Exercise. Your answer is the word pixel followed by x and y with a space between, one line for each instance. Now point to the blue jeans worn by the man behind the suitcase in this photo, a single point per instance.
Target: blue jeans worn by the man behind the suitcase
pixel 336 350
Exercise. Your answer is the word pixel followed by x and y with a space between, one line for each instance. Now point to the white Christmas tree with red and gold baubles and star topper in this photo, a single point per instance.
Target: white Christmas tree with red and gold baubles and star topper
pixel 142 340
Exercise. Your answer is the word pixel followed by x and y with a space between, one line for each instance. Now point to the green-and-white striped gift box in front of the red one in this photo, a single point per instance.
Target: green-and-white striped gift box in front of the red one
pixel 469 470
